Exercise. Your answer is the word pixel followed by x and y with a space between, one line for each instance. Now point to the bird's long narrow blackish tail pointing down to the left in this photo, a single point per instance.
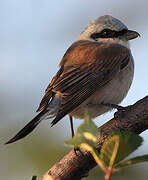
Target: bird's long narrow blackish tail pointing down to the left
pixel 28 128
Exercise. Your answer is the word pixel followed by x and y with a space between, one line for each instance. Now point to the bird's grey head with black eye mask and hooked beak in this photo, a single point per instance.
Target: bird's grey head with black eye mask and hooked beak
pixel 108 29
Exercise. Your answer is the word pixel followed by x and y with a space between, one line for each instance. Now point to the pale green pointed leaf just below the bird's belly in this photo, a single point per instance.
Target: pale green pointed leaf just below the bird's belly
pixel 86 133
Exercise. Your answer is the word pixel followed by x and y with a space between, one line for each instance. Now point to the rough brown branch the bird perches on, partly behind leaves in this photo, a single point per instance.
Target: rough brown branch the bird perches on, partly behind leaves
pixel 72 166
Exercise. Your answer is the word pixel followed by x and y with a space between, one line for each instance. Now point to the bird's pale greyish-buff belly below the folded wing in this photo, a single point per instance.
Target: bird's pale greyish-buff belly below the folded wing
pixel 113 92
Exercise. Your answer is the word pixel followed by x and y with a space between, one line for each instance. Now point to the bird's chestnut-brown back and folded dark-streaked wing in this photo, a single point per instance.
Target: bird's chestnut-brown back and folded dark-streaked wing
pixel 86 67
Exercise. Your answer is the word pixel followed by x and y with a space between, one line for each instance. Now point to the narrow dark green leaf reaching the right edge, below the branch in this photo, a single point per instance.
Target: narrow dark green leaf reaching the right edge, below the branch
pixel 135 160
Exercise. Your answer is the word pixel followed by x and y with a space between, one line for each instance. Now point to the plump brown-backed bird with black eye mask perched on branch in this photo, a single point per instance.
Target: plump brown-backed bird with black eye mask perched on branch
pixel 96 70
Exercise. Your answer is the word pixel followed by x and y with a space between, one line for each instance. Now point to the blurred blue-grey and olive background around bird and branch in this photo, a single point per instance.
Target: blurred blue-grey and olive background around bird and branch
pixel 34 35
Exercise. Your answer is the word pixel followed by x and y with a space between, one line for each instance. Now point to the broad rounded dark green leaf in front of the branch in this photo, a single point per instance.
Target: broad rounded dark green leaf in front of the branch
pixel 118 146
